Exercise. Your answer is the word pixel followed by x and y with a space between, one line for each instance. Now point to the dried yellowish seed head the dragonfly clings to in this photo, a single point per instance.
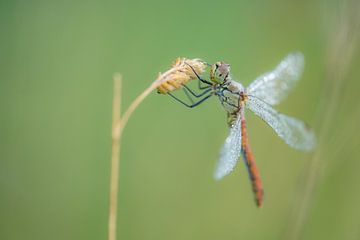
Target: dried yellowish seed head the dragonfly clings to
pixel 179 74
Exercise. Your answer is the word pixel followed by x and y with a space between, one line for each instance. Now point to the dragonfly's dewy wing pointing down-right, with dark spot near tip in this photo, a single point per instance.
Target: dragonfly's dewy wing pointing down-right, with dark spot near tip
pixel 294 132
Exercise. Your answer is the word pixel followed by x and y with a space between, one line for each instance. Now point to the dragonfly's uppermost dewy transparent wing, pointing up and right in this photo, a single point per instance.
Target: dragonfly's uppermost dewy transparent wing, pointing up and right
pixel 274 86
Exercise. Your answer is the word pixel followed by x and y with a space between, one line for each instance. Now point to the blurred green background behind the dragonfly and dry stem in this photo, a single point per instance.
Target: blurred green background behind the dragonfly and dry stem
pixel 56 66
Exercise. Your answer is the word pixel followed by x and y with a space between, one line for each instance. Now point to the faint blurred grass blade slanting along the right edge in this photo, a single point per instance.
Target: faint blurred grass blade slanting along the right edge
pixel 343 42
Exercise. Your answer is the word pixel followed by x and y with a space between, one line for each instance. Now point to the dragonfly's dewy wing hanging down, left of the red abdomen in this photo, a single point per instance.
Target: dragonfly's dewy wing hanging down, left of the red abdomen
pixel 230 151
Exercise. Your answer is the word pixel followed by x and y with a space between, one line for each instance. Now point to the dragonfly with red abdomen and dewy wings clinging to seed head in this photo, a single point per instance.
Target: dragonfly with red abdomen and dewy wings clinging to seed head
pixel 266 91
